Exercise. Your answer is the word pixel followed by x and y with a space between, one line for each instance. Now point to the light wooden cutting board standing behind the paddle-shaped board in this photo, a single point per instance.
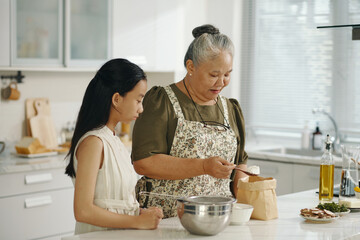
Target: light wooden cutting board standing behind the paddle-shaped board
pixel 30 110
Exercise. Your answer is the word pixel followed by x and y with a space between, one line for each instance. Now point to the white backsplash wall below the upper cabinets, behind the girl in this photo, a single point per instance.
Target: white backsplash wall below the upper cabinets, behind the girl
pixel 65 91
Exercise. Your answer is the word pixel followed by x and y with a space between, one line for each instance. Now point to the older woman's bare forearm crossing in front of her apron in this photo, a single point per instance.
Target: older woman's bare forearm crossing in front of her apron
pixel 161 166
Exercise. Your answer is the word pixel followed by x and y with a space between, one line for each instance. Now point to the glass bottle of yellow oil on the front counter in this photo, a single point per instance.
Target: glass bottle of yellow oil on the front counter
pixel 326 182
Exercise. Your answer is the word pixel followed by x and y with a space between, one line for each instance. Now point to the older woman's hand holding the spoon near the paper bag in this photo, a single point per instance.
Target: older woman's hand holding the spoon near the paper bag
pixel 218 167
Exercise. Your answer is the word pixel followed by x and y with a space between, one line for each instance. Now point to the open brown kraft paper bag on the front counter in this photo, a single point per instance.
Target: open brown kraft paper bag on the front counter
pixel 260 193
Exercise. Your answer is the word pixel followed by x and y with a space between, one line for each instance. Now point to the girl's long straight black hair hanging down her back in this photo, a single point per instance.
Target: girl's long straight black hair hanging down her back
pixel 115 76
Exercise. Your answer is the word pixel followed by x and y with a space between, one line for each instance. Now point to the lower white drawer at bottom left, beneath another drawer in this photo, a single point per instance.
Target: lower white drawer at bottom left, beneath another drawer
pixel 37 215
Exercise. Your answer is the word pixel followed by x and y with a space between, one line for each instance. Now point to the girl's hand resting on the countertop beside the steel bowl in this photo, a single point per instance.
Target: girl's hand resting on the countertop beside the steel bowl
pixel 150 218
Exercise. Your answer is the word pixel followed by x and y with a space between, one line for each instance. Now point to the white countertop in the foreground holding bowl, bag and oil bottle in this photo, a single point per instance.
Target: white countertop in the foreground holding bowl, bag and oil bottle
pixel 289 225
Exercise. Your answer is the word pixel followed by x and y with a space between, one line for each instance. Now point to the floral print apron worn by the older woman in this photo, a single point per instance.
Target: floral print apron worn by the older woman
pixel 191 140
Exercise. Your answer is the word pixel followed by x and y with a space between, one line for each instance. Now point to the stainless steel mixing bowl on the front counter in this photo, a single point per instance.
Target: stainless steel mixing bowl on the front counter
pixel 205 215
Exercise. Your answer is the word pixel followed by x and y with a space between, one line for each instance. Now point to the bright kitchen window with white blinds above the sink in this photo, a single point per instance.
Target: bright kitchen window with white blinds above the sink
pixel 290 67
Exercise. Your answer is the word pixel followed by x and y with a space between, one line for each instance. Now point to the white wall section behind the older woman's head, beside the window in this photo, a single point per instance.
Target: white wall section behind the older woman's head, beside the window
pixel 225 15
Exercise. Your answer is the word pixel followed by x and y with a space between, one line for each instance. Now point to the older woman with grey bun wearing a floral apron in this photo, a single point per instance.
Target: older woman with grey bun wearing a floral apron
pixel 189 139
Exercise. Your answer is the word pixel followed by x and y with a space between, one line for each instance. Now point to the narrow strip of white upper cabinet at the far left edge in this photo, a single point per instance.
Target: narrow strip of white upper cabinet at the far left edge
pixel 5 33
